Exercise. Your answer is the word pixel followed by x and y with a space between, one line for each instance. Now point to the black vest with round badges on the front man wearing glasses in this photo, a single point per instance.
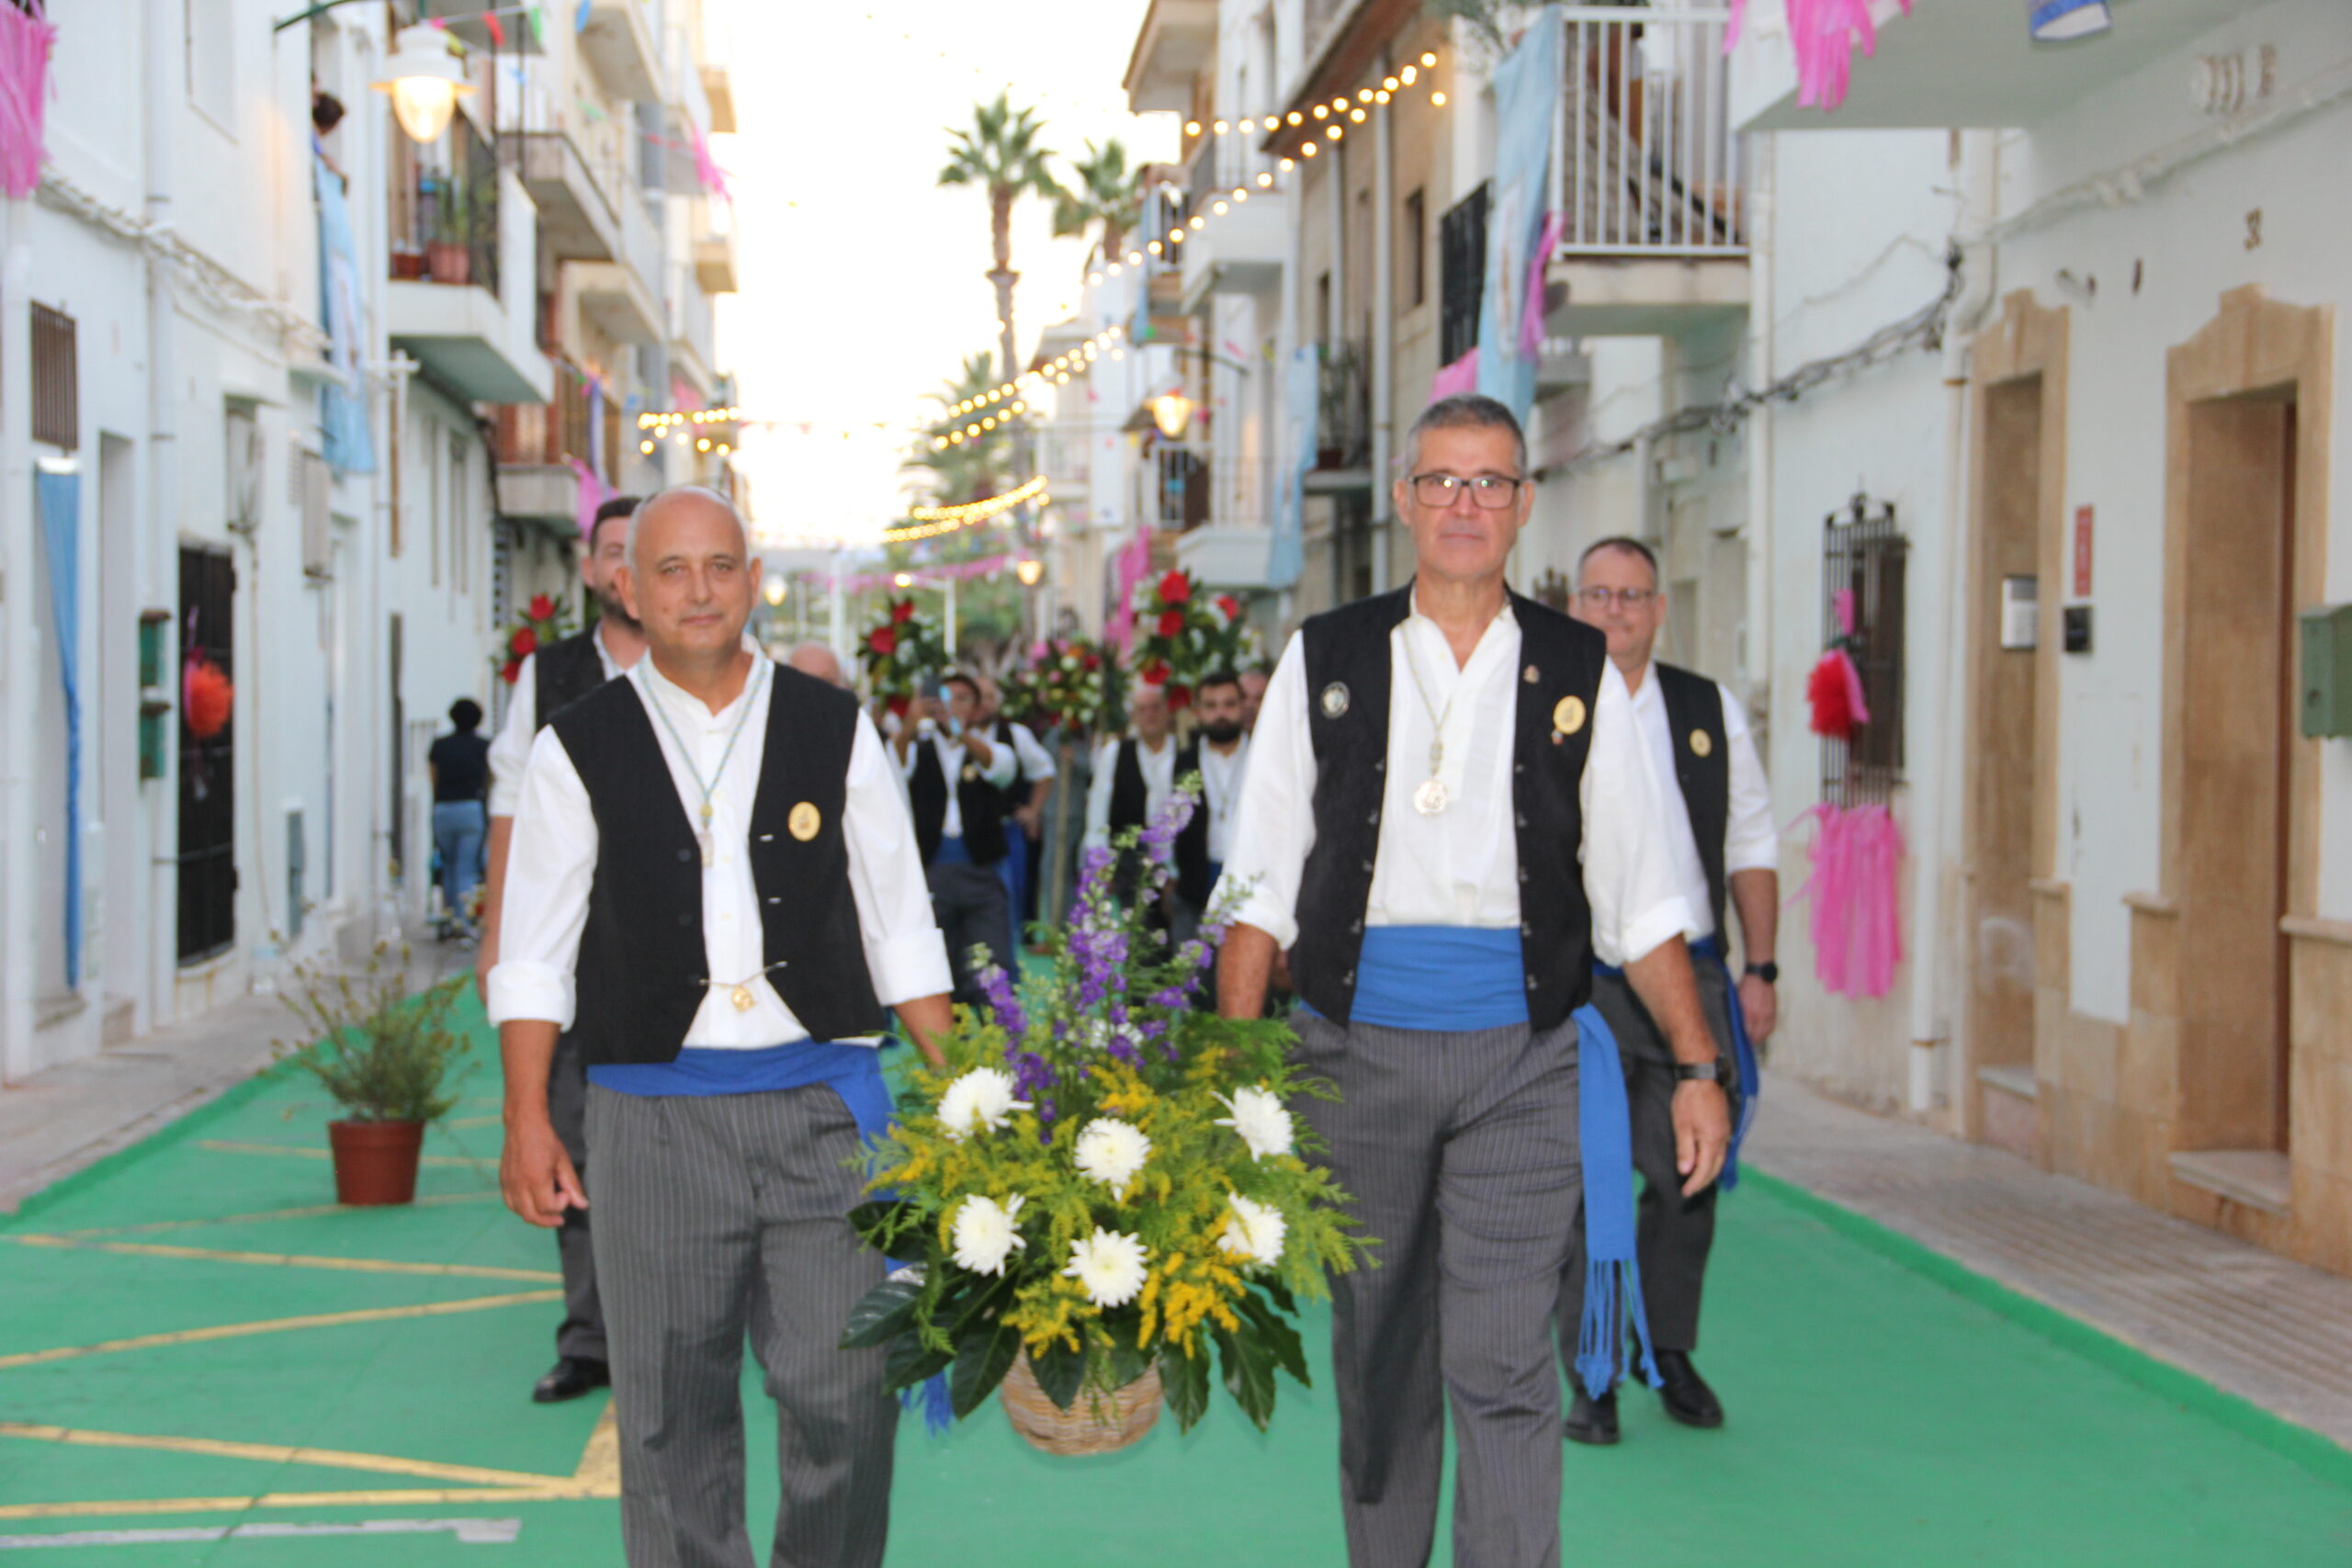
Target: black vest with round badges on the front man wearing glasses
pixel 1349 676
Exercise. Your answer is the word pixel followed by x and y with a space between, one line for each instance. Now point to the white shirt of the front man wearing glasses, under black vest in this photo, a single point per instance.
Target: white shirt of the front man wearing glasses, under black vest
pixel 1462 866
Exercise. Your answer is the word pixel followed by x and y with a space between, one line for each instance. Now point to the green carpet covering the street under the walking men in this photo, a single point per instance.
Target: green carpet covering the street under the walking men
pixel 189 1379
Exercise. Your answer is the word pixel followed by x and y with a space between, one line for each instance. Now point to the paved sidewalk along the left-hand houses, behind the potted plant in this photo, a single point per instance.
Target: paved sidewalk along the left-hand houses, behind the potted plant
pixel 79 1113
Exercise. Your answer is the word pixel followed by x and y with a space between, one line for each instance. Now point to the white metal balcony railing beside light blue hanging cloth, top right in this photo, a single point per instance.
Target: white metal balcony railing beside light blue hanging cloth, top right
pixel 1643 149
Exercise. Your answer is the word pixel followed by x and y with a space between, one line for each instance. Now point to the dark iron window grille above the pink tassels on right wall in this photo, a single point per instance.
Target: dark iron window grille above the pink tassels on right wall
pixel 1864 556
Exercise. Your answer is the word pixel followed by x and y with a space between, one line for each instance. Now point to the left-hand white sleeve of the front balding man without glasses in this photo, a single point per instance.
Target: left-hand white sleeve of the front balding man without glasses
pixel 549 871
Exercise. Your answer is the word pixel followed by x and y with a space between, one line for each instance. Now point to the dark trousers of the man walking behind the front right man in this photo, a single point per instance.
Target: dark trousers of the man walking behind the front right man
pixel 1673 1233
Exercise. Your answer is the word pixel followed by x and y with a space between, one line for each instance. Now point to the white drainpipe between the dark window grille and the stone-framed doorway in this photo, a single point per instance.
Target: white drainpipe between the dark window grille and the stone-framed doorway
pixel 1935 836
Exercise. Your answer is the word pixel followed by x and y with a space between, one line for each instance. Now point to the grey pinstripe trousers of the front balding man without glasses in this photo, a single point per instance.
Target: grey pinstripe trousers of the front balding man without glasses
pixel 721 1219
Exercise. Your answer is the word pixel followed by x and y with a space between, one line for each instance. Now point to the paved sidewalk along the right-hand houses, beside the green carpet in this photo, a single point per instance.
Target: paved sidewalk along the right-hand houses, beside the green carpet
pixel 2250 1322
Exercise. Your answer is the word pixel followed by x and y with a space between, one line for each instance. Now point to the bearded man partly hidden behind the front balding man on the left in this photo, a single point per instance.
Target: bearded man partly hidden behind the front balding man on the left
pixel 552 681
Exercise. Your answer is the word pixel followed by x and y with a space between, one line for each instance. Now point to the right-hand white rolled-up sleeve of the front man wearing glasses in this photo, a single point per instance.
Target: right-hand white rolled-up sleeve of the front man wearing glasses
pixel 1629 869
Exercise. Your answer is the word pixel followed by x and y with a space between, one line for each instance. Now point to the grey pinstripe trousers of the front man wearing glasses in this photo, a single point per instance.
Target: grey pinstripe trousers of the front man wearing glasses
pixel 1464 1165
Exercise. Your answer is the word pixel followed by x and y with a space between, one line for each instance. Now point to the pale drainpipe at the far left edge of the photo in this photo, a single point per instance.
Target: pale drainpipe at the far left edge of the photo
pixel 20 688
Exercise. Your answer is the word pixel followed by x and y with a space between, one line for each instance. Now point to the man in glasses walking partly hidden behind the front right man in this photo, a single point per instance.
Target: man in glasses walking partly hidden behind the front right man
pixel 1723 843
